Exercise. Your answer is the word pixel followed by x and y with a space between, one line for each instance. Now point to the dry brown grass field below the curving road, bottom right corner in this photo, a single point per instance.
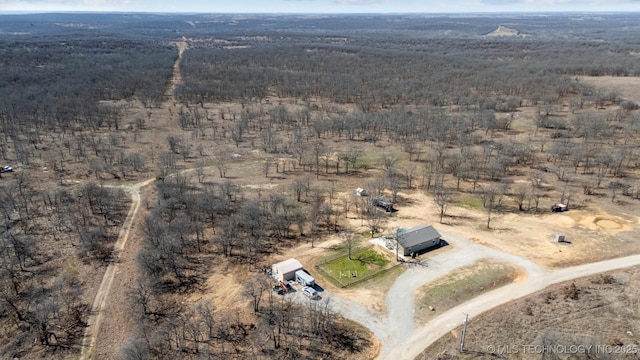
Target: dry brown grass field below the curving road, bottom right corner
pixel 556 316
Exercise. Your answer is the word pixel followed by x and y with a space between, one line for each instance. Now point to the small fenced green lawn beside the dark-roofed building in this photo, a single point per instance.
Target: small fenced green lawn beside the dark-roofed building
pixel 364 264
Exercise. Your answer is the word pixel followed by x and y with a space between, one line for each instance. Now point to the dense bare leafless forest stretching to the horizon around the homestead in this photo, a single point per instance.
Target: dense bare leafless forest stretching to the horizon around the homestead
pixel 85 108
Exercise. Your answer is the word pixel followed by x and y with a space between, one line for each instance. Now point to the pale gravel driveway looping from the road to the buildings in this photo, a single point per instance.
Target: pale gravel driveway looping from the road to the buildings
pixel 396 330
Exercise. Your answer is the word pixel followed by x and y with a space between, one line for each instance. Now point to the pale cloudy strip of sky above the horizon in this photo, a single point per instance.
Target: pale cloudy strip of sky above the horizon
pixel 321 6
